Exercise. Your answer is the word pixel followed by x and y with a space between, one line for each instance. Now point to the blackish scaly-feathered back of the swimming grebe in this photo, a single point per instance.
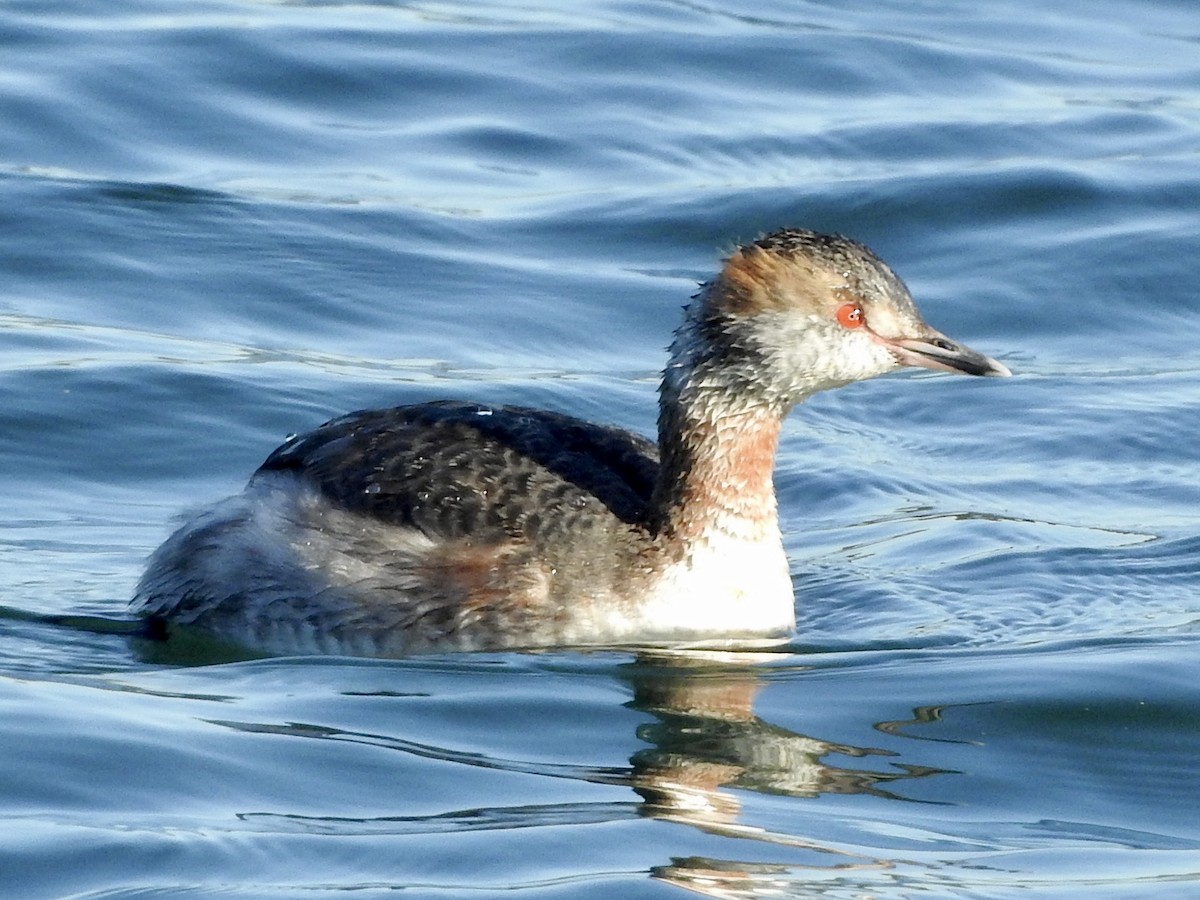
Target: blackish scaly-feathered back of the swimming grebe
pixel 455 470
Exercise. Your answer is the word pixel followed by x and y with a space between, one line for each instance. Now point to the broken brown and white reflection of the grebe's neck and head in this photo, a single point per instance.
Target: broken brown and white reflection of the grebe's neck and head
pixel 706 743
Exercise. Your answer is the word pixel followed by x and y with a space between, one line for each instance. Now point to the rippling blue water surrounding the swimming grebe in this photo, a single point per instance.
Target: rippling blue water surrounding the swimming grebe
pixel 224 223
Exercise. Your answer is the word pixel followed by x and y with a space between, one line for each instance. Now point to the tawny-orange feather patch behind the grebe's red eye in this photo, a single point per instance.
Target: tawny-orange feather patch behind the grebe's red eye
pixel 759 280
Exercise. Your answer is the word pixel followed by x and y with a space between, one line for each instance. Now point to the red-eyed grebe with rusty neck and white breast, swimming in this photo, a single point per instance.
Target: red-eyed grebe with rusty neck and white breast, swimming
pixel 453 526
